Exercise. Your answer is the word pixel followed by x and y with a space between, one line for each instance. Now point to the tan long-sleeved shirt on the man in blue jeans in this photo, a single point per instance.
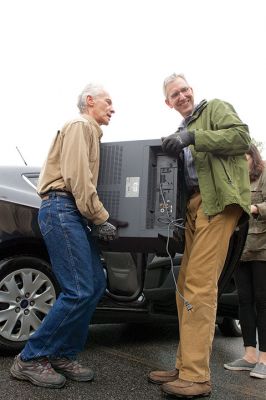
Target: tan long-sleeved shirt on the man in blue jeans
pixel 73 165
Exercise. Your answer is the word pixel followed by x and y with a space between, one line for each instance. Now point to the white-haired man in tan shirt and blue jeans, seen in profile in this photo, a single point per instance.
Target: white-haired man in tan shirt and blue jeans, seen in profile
pixel 67 186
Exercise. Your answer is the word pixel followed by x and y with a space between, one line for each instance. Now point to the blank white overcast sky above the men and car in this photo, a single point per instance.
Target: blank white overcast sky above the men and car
pixel 50 49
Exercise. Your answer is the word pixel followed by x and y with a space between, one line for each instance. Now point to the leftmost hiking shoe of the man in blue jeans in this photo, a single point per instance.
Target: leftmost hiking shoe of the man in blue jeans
pixel 38 371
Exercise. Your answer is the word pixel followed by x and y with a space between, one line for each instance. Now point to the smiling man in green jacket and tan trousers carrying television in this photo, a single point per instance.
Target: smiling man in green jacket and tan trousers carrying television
pixel 212 141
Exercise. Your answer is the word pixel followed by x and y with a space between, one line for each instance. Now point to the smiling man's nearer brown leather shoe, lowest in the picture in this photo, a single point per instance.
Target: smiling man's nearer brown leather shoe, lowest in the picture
pixel 187 389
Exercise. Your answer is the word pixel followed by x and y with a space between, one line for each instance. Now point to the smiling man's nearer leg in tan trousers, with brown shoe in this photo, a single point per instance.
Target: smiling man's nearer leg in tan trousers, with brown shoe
pixel 204 266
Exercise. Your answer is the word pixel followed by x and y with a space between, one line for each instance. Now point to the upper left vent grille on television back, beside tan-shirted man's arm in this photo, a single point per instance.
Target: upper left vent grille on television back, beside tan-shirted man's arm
pixel 110 164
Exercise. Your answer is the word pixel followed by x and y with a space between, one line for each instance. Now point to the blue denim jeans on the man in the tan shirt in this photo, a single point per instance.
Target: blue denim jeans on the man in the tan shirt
pixel 77 267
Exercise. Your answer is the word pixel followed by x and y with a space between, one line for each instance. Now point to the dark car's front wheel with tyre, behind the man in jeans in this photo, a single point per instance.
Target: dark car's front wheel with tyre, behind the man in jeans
pixel 28 290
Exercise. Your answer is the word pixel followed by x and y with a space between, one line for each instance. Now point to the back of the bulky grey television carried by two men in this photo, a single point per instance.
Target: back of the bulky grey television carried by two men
pixel 138 183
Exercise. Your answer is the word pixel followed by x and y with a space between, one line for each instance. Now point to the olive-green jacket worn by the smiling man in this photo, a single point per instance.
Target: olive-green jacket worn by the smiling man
pixel 221 141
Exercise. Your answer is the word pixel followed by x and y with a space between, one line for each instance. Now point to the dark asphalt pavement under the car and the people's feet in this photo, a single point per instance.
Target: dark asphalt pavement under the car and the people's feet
pixel 122 356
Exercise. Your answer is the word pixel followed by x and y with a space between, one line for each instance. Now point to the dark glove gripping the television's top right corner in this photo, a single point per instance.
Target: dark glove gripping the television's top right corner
pixel 174 144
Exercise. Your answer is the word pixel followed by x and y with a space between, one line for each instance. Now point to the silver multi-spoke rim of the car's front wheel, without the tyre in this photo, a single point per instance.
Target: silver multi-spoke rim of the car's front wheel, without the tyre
pixel 26 297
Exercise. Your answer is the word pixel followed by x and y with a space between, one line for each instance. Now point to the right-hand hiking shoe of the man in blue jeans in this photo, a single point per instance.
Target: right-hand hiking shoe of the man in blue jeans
pixel 72 369
